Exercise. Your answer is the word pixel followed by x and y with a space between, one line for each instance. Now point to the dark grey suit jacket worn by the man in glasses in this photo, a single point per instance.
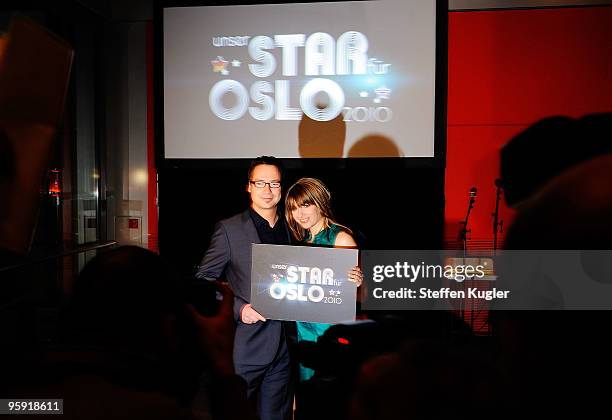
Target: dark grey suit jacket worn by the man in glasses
pixel 230 253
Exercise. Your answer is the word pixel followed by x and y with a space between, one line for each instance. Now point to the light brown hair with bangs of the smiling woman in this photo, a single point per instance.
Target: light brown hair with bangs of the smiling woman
pixel 309 191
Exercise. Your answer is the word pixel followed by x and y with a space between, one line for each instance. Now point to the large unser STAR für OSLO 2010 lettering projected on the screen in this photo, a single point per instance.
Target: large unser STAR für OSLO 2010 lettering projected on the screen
pixel 357 78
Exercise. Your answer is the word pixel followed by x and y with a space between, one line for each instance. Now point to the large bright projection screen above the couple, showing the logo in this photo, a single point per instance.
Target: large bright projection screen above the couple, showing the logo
pixel 341 79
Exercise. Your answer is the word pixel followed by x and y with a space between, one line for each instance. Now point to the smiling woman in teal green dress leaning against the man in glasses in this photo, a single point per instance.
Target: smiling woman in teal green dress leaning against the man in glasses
pixel 311 222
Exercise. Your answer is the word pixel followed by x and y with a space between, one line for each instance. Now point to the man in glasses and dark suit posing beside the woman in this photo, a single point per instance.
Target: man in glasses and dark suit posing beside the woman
pixel 261 355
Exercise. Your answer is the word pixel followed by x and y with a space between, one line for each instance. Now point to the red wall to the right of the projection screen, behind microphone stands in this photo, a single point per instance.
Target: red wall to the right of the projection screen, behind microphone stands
pixel 508 69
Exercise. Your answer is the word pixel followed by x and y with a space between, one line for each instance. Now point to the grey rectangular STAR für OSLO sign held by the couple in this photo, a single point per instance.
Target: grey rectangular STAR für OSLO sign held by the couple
pixel 301 283
